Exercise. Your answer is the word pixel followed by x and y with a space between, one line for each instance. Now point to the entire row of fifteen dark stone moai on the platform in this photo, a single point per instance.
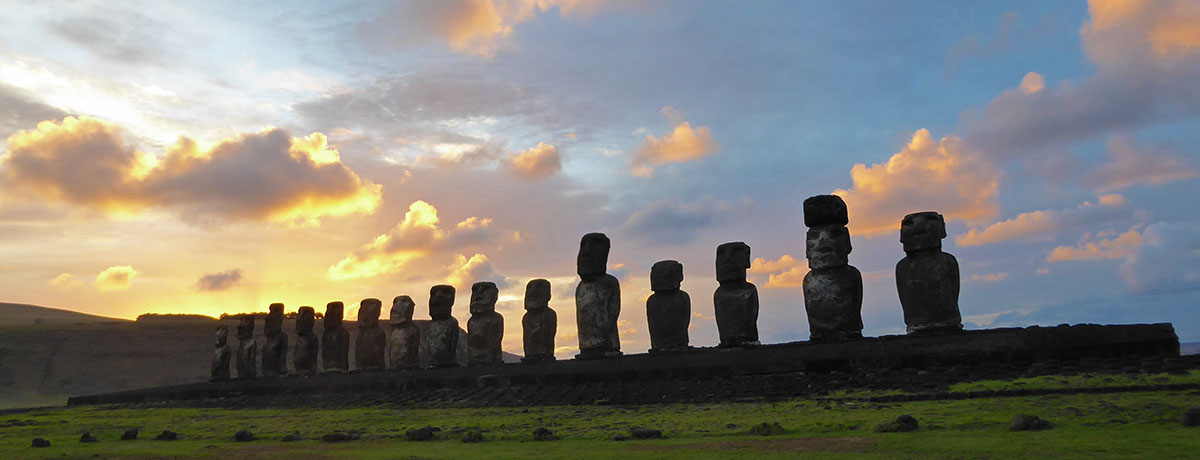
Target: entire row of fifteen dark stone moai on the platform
pixel 927 282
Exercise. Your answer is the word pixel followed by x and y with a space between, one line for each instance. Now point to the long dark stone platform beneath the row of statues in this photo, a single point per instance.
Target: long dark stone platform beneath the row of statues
pixel 790 362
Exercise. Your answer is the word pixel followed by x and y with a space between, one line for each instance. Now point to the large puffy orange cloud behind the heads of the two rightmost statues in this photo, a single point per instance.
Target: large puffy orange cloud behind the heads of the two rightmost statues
pixel 941 176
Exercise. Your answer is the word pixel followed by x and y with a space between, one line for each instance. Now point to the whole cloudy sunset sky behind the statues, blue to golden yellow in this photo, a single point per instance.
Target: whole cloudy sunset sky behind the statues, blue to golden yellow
pixel 207 158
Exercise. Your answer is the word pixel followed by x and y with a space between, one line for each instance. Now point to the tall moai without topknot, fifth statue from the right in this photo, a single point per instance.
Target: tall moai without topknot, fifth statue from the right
pixel 597 300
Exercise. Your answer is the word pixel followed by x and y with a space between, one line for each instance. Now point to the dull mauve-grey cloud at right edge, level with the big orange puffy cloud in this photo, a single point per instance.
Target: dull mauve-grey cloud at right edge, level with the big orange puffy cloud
pixel 1131 165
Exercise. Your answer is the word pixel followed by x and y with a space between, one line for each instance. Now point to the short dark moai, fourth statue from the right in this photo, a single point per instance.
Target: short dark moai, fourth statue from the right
pixel 669 309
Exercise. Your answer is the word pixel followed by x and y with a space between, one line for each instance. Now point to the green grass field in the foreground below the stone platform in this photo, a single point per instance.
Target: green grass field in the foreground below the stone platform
pixel 1124 426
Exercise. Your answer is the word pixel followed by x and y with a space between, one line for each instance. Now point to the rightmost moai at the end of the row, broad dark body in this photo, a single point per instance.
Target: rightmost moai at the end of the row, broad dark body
pixel 928 279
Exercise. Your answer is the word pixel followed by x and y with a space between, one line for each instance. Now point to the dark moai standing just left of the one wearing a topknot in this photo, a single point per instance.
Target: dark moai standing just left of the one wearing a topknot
pixel 736 301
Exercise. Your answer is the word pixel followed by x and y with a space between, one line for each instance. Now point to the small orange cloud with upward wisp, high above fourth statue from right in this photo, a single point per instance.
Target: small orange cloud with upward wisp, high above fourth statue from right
pixel 682 145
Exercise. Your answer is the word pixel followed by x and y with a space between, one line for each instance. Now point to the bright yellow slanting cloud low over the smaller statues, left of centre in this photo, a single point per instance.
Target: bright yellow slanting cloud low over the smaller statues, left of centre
pixel 416 237
